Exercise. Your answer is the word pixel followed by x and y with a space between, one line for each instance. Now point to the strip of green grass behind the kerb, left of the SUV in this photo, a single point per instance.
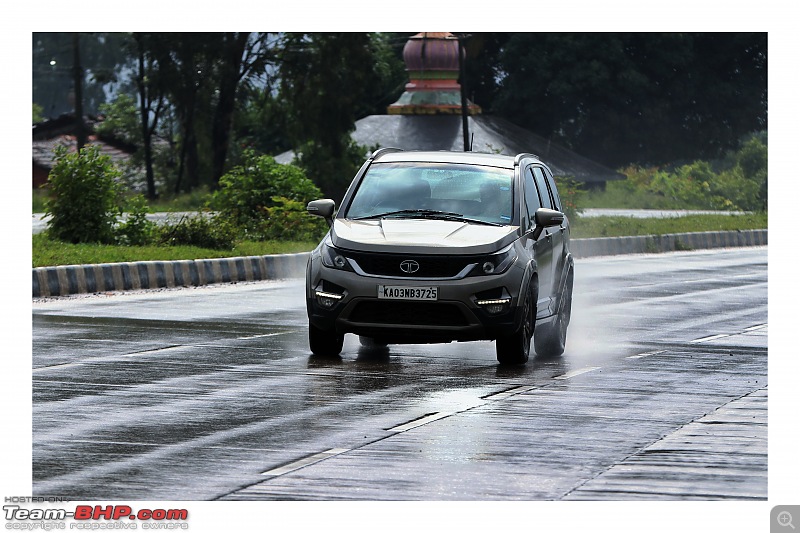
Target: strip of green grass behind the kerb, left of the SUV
pixel 48 252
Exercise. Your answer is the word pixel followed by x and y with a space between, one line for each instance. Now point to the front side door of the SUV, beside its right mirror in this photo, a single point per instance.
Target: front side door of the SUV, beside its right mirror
pixel 541 249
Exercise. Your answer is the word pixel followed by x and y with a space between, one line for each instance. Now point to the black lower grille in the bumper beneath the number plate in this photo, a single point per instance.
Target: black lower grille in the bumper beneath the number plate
pixel 409 313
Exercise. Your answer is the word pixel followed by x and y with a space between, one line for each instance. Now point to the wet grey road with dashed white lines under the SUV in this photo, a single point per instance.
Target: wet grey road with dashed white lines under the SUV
pixel 210 393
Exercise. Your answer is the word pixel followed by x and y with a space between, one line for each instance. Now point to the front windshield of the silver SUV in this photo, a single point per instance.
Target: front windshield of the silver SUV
pixel 430 190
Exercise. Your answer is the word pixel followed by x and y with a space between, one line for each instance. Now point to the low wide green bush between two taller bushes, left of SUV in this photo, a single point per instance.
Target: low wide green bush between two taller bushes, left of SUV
pixel 203 230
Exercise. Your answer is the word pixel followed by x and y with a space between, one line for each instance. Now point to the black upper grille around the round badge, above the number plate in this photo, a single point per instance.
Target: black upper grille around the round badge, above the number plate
pixel 430 266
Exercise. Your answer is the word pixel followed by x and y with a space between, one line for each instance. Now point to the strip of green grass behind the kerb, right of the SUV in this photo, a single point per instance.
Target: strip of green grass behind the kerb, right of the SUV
pixel 629 226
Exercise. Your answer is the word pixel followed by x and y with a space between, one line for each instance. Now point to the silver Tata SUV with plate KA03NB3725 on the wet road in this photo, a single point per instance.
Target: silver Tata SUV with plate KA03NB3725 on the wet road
pixel 432 247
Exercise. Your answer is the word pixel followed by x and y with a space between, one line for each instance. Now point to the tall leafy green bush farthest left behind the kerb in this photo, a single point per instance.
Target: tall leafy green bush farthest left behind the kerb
pixel 85 196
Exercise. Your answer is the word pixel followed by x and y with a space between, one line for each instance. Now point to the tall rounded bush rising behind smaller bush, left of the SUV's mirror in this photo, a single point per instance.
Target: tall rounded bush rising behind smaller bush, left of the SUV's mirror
pixel 247 192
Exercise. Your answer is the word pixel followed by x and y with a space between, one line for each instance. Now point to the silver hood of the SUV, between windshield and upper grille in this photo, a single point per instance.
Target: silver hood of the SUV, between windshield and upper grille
pixel 420 236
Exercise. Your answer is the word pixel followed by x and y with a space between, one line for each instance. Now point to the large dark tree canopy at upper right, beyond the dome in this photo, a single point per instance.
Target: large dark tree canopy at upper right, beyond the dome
pixel 646 98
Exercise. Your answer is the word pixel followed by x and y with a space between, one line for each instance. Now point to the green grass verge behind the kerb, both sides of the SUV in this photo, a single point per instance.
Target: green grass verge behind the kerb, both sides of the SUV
pixel 47 252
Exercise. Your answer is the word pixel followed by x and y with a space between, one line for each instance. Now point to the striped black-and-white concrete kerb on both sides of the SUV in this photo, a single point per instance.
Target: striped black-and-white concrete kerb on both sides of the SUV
pixel 77 279
